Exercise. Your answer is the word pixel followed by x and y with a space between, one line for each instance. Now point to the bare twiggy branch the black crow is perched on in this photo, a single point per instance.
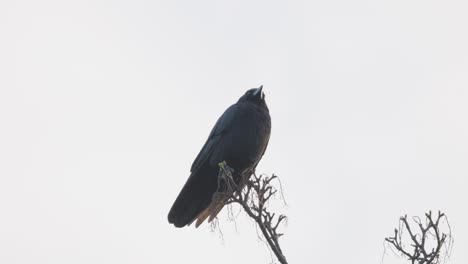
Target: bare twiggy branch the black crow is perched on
pixel 253 194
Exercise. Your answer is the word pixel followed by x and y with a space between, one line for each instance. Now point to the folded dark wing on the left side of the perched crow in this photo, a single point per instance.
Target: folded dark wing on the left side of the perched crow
pixel 220 129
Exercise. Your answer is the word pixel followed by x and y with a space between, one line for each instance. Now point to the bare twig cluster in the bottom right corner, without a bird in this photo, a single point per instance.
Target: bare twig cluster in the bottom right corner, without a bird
pixel 427 241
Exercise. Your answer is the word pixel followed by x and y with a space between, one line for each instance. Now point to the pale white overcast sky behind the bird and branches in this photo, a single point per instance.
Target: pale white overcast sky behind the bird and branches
pixel 105 104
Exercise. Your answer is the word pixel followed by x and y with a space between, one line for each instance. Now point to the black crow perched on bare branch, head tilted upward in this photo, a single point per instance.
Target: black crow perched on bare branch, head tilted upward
pixel 239 137
